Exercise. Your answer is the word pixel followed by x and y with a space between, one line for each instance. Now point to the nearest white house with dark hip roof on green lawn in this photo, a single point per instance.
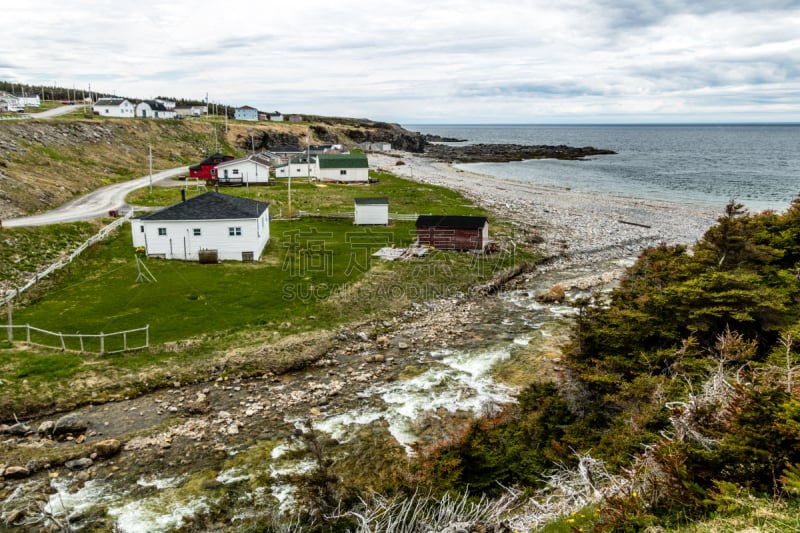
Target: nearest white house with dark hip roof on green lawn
pixel 236 229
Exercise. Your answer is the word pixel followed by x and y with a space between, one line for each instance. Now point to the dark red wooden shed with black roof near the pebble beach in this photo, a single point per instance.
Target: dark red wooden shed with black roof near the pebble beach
pixel 446 232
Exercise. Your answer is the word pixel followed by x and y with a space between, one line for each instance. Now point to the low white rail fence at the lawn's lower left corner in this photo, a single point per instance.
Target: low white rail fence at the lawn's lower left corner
pixel 105 343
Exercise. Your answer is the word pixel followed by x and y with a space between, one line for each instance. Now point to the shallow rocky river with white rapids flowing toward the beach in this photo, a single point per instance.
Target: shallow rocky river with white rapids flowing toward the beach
pixel 213 454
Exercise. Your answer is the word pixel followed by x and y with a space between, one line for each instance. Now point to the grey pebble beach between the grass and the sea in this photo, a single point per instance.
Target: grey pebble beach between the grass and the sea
pixel 575 227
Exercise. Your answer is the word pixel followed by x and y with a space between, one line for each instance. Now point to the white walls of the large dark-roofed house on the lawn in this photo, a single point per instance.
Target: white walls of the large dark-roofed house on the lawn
pixel 180 241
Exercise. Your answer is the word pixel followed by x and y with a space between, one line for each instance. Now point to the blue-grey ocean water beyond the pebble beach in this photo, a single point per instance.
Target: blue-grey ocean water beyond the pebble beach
pixel 707 165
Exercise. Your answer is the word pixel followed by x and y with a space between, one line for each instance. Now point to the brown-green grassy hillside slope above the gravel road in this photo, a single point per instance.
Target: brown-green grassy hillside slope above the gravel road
pixel 44 163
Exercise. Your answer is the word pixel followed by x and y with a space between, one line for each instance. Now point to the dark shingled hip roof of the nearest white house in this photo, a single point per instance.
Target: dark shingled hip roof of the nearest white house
pixel 211 206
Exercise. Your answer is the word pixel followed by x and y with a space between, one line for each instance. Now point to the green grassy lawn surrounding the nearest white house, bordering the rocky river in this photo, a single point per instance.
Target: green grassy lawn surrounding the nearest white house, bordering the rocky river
pixel 315 275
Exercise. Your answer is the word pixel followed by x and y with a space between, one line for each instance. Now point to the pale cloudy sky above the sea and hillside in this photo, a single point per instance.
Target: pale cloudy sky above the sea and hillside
pixel 434 61
